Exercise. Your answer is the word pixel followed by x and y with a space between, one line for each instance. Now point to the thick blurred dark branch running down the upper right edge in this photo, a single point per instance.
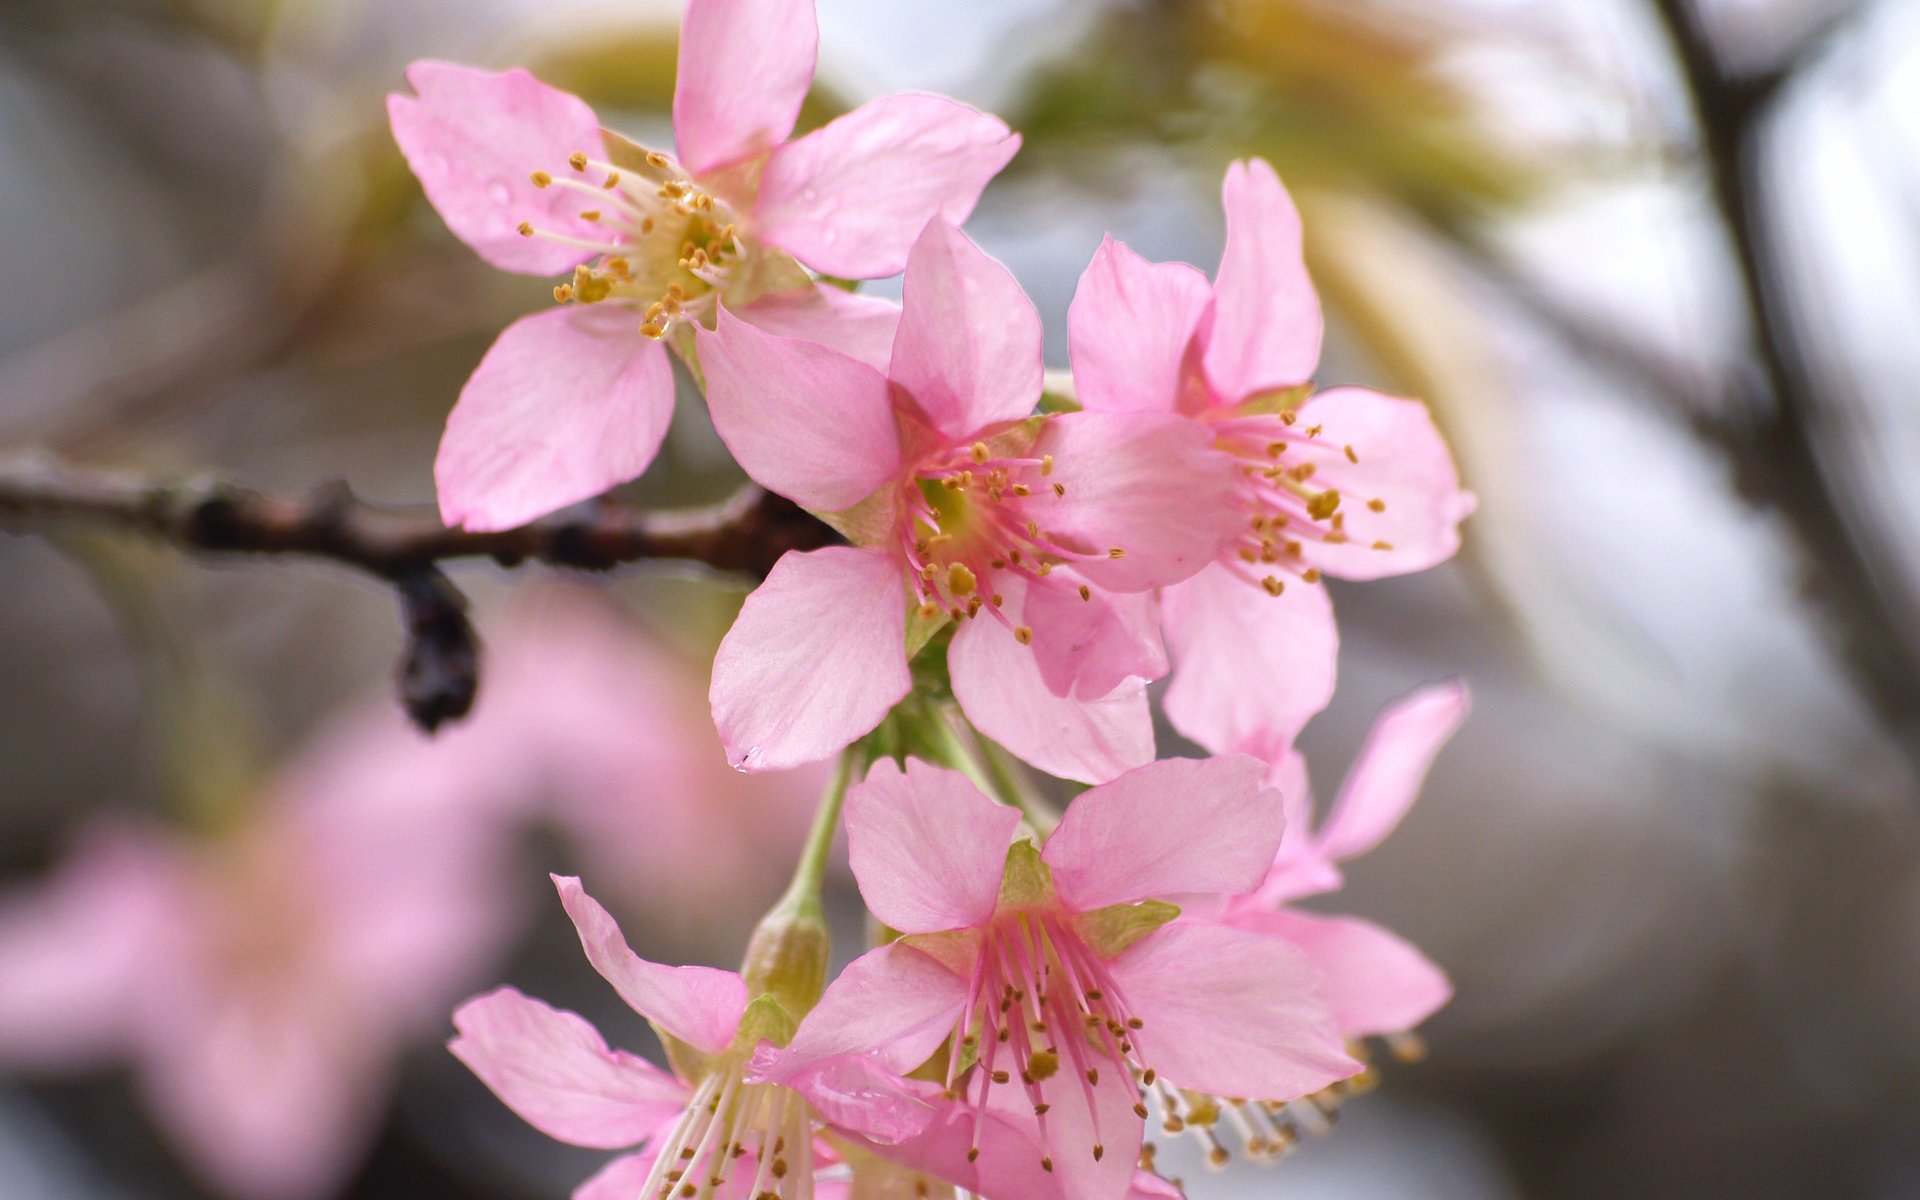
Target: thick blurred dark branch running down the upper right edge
pixel 1781 433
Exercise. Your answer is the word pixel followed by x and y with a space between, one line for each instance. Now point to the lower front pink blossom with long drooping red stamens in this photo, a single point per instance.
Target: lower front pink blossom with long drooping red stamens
pixel 1057 974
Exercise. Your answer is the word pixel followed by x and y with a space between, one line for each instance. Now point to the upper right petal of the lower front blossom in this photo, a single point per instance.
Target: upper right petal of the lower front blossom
pixel 1166 828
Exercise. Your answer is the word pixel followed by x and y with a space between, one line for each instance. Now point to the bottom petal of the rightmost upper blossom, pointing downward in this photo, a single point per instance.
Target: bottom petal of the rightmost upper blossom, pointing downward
pixel 1249 669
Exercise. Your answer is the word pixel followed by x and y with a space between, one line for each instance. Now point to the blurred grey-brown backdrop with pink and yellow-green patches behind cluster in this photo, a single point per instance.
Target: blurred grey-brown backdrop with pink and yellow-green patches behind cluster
pixel 1656 264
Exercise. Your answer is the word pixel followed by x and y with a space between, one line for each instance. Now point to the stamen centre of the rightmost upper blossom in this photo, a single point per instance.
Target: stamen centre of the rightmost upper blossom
pixel 1287 510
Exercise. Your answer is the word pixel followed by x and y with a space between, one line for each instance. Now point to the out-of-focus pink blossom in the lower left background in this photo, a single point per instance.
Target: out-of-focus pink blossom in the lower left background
pixel 264 980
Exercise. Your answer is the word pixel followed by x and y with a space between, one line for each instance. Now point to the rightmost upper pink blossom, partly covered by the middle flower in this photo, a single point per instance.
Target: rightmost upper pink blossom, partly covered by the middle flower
pixel 1347 483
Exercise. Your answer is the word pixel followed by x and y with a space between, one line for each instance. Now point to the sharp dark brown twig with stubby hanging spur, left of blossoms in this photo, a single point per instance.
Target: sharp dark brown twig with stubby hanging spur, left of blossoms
pixel 439 671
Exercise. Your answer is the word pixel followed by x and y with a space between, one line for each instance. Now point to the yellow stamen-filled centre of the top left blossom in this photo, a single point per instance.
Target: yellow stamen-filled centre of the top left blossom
pixel 669 247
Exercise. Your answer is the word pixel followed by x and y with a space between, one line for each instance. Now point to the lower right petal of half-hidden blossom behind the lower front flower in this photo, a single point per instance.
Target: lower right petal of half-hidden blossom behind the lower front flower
pixel 1374 980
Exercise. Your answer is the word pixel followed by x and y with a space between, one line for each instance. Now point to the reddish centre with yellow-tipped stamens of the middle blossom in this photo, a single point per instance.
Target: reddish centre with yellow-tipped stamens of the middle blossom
pixel 974 517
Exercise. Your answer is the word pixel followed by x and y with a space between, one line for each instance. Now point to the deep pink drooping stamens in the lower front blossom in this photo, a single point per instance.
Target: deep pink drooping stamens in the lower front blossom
pixel 1045 1013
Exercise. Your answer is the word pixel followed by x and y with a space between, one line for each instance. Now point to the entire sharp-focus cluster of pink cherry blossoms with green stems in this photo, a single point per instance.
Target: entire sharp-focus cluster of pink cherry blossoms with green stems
pixel 1020 564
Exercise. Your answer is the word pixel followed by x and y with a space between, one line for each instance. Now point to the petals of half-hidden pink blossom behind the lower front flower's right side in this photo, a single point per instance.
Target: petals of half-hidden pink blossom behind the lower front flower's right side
pixel 1378 984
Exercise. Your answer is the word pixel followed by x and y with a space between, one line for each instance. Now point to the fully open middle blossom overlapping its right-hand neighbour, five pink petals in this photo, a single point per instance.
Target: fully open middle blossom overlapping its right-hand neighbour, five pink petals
pixel 1038 539
